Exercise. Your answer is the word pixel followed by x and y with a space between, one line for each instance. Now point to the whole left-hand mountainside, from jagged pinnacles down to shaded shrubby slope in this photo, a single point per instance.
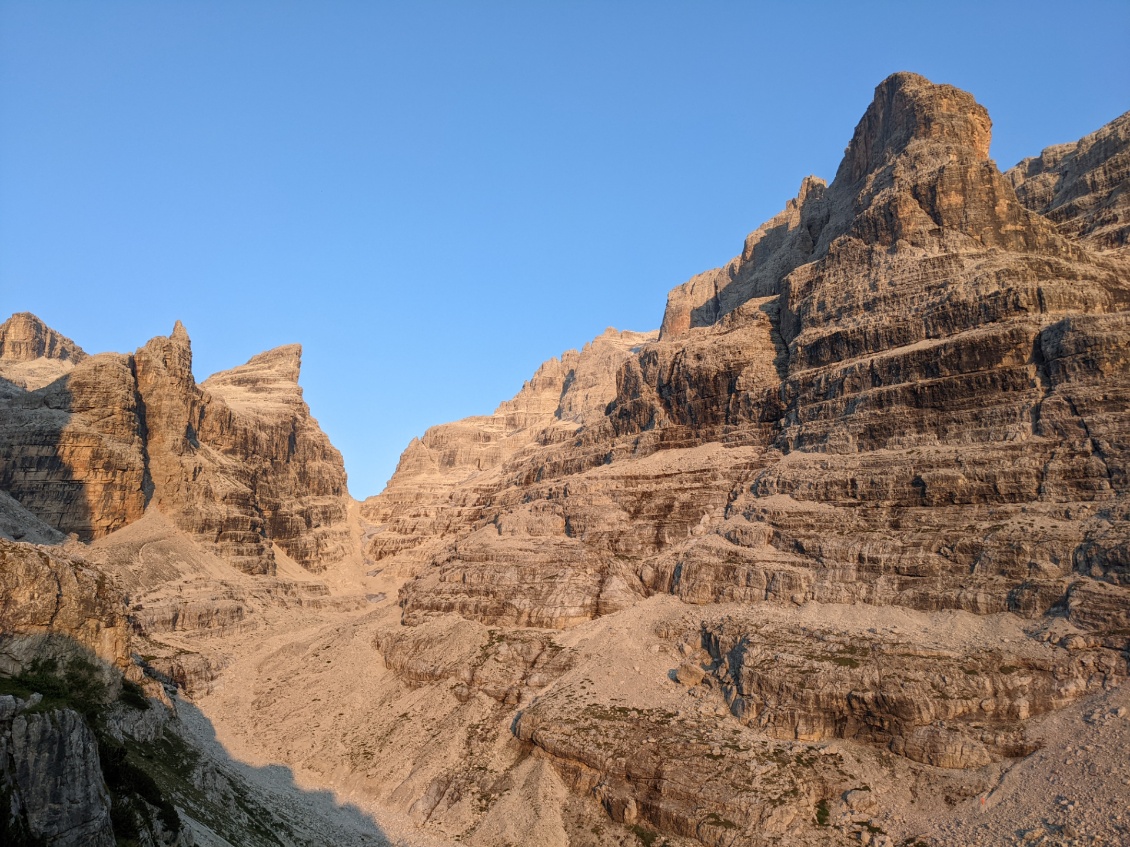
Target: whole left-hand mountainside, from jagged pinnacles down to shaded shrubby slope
pixel 201 494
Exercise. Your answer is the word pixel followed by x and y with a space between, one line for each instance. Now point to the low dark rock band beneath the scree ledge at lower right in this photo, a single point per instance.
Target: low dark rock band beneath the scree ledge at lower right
pixel 945 708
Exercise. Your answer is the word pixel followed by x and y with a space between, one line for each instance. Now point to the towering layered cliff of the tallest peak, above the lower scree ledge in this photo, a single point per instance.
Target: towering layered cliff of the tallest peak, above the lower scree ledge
pixel 911 340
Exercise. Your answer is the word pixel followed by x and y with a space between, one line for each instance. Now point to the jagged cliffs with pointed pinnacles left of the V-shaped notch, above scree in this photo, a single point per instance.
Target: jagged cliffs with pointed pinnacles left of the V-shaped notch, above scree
pixel 239 462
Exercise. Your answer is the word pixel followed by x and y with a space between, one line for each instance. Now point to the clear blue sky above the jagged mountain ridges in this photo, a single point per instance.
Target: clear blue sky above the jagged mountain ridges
pixel 433 198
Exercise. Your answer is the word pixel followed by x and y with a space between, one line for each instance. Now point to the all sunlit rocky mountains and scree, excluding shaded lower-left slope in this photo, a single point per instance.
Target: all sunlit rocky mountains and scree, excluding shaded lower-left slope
pixel 841 555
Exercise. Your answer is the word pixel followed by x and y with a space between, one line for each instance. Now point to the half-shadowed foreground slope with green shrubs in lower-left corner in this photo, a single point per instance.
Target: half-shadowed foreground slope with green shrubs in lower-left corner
pixel 95 746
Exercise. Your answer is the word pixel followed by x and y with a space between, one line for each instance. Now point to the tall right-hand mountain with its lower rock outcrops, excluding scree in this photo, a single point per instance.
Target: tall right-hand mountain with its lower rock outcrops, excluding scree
pixel 912 390
